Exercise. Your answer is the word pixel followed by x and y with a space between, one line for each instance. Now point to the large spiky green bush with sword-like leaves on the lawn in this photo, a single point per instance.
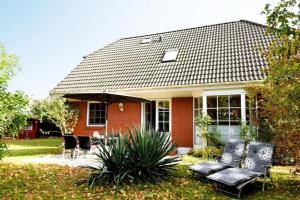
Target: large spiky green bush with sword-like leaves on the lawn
pixel 137 156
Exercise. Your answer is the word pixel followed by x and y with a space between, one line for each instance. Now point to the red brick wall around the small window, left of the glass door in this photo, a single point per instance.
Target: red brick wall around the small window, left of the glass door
pixel 116 119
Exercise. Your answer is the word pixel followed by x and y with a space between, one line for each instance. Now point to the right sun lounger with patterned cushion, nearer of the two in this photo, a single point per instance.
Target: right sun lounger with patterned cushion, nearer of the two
pixel 256 165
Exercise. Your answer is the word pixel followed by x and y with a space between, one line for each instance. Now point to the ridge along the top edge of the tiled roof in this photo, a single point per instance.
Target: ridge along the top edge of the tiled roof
pixel 184 29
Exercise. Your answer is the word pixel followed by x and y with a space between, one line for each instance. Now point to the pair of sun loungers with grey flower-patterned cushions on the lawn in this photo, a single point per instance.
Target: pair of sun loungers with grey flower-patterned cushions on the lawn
pixel 239 165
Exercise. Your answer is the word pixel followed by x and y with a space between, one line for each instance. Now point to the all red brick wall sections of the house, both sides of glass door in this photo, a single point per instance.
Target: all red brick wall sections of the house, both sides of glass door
pixel 182 120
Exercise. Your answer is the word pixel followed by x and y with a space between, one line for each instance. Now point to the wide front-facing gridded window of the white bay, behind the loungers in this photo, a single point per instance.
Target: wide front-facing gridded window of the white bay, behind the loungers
pixel 225 112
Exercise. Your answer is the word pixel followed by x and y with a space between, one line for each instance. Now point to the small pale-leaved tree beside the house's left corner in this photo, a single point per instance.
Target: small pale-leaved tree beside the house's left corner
pixel 58 111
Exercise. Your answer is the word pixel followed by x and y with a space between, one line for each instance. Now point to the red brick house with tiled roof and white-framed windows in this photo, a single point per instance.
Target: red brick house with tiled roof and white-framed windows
pixel 183 72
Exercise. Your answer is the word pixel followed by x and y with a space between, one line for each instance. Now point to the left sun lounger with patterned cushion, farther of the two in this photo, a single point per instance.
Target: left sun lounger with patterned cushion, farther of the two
pixel 232 156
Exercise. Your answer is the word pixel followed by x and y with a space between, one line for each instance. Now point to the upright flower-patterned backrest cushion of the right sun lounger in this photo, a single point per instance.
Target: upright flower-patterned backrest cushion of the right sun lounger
pixel 258 156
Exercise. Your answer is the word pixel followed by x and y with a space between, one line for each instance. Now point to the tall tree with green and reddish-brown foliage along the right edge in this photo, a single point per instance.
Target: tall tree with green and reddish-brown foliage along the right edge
pixel 280 102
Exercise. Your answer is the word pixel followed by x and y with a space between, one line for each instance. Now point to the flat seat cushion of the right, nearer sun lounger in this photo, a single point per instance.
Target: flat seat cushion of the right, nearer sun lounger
pixel 233 176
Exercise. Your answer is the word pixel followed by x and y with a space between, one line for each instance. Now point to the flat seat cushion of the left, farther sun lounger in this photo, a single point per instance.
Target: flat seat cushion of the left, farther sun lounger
pixel 208 167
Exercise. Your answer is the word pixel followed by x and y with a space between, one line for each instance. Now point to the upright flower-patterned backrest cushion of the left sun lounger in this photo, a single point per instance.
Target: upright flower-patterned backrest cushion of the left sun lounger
pixel 233 151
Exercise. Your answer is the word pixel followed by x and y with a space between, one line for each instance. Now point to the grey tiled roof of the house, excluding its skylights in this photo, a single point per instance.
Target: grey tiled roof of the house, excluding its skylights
pixel 220 53
